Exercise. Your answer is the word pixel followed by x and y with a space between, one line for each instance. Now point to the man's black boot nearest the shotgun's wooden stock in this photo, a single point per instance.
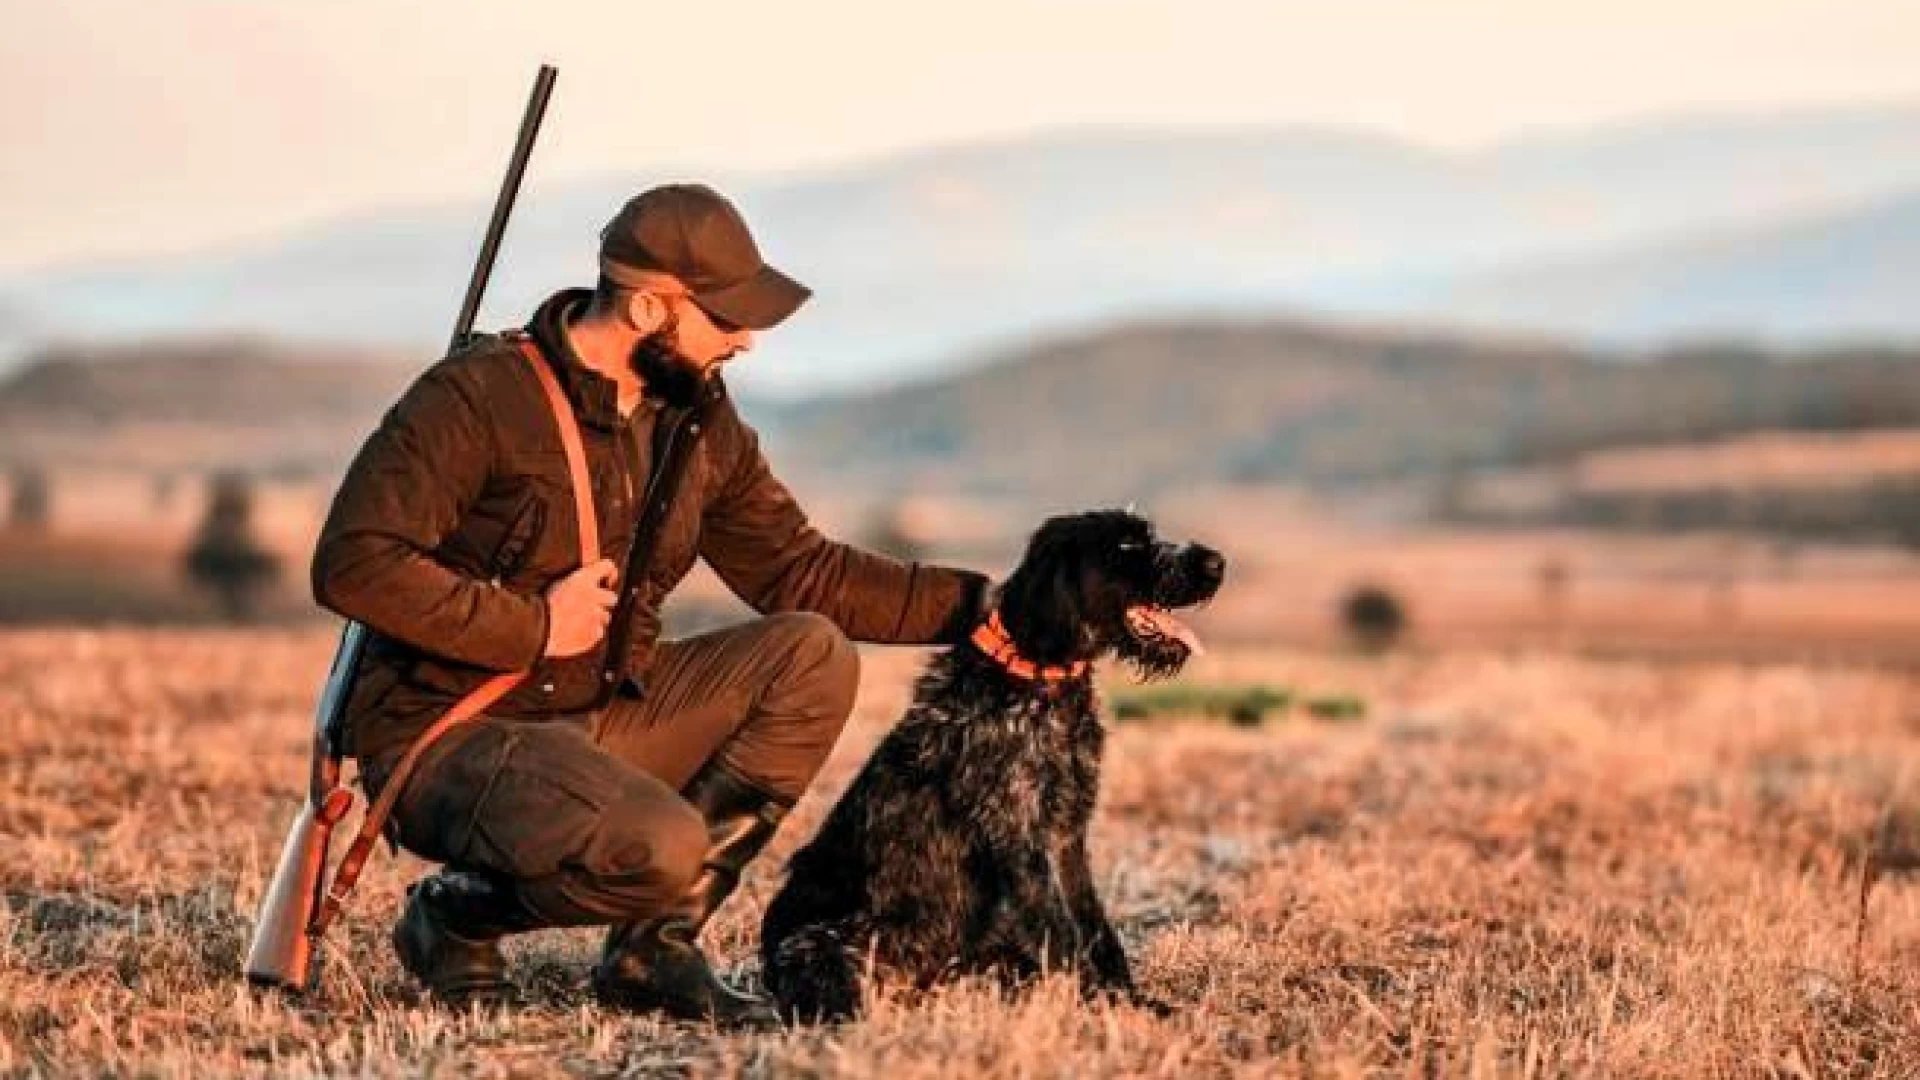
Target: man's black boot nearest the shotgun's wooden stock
pixel 450 935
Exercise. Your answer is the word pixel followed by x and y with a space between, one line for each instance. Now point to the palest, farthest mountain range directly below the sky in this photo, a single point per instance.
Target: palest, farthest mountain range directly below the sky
pixel 924 260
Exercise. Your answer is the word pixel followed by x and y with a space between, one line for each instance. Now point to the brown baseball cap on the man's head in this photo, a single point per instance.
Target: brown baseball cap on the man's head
pixel 696 235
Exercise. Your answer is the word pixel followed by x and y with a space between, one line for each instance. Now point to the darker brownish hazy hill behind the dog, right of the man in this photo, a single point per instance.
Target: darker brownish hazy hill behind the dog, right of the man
pixel 1159 408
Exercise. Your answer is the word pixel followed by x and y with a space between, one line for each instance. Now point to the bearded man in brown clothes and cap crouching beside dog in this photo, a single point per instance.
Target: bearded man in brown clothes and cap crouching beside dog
pixel 627 781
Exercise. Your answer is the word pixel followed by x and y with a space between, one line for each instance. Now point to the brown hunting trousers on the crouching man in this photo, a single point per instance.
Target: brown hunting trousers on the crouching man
pixel 587 816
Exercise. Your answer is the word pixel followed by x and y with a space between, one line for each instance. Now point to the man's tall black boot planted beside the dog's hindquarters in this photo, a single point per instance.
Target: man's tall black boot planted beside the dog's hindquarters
pixel 658 964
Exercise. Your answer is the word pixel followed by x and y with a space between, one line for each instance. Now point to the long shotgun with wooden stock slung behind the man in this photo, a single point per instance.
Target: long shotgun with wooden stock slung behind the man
pixel 287 931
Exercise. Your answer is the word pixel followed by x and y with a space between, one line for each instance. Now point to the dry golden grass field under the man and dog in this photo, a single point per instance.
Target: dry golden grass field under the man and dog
pixel 1512 866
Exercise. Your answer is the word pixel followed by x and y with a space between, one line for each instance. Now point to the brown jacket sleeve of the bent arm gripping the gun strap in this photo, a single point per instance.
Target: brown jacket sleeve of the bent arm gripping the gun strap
pixel 404 493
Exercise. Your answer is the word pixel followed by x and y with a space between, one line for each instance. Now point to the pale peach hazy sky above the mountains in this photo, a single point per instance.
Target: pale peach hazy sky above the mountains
pixel 141 128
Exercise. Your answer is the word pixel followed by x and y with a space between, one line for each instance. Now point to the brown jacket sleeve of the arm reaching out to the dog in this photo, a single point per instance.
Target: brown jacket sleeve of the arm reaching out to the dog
pixel 761 545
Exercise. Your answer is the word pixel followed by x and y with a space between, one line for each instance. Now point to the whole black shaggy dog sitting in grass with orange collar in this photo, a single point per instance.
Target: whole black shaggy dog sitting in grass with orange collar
pixel 963 845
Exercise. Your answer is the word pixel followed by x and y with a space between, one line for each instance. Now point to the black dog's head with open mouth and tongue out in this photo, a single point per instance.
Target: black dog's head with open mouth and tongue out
pixel 1101 581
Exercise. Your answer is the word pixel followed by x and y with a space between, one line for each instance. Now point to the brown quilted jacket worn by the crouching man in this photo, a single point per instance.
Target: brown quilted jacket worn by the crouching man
pixel 458 514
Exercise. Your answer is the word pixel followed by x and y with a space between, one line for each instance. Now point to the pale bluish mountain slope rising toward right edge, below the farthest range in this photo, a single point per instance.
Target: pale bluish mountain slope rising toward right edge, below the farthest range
pixel 1846 274
